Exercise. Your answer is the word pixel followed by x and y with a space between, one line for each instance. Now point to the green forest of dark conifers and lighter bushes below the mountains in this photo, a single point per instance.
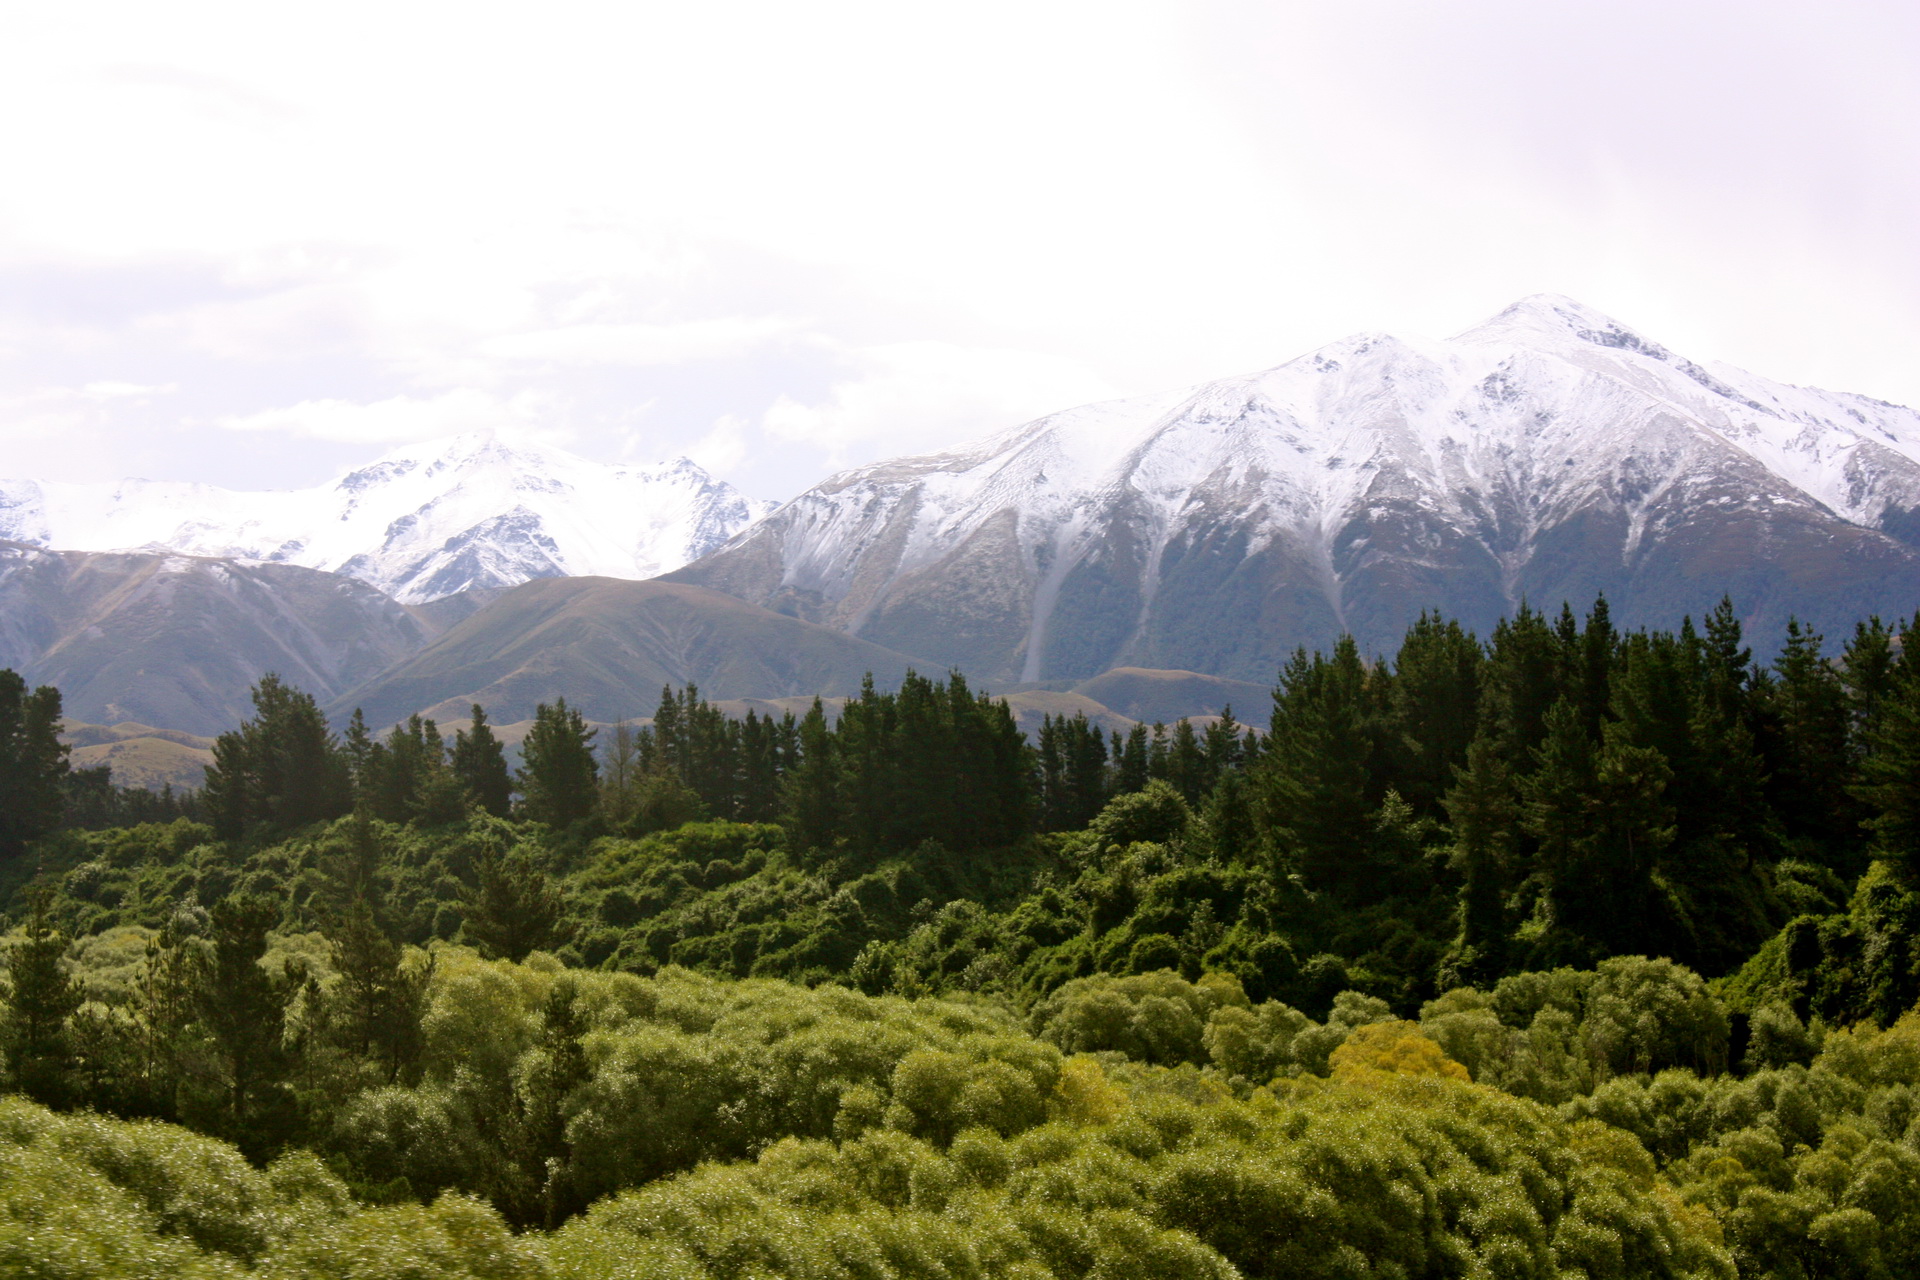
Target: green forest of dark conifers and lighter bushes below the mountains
pixel 1560 953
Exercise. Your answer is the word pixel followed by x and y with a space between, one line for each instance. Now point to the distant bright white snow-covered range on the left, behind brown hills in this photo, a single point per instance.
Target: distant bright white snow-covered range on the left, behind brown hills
pixel 469 513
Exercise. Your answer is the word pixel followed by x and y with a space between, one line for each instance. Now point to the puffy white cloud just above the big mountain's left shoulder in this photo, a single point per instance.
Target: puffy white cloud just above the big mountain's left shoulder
pixel 915 396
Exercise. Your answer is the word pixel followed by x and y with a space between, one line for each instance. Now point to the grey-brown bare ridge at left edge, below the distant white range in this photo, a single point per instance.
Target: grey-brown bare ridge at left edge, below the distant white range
pixel 178 642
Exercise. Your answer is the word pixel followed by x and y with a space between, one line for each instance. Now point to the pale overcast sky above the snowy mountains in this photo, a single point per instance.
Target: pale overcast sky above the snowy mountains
pixel 260 245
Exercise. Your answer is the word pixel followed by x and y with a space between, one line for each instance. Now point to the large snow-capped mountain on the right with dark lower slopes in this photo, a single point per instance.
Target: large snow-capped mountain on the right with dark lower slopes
pixel 1547 456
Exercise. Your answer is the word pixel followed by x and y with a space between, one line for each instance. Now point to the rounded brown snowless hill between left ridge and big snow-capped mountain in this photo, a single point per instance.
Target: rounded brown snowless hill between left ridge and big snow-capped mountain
pixel 610 646
